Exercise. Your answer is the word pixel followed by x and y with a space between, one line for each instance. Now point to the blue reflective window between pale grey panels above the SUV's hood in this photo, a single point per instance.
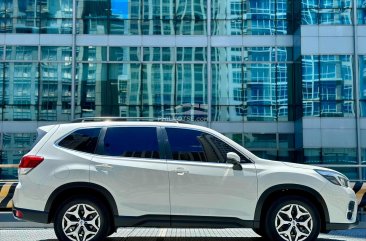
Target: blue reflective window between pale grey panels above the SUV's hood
pixel 328 78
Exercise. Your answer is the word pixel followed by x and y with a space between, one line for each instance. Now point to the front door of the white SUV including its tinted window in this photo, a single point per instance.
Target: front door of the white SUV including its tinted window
pixel 202 184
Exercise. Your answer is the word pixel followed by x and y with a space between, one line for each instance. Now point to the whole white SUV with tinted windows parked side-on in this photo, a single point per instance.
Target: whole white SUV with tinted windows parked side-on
pixel 90 178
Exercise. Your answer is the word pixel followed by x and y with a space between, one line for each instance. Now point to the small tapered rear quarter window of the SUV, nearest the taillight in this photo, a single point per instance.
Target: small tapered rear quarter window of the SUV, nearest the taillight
pixel 84 140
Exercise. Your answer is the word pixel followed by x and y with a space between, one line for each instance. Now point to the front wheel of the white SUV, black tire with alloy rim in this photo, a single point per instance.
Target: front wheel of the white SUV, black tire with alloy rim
pixel 292 218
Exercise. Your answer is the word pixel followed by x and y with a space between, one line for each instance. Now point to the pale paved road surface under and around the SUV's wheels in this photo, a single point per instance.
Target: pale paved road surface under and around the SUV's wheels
pixel 156 234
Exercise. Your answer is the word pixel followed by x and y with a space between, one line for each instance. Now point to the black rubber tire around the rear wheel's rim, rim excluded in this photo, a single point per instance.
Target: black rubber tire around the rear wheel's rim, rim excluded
pixel 95 203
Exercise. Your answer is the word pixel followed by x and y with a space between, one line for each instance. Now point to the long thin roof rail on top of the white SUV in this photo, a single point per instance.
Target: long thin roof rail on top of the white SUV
pixel 112 118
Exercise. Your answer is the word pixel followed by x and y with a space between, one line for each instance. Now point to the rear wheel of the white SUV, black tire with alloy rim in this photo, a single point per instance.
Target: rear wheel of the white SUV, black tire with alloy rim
pixel 82 219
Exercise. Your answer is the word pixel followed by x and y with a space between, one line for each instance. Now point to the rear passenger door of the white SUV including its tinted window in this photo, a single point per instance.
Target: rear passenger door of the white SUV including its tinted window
pixel 130 165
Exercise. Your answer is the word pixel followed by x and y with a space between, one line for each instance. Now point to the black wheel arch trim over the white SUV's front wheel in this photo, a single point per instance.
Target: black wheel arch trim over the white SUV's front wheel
pixel 291 189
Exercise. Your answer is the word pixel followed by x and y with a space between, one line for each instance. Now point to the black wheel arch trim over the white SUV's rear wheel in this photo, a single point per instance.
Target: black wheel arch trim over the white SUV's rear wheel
pixel 78 189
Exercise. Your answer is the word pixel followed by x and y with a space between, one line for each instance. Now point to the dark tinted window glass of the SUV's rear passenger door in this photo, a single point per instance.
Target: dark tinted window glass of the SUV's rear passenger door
pixel 139 142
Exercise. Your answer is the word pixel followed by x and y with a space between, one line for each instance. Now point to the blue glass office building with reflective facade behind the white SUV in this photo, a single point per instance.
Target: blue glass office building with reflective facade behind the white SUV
pixel 284 78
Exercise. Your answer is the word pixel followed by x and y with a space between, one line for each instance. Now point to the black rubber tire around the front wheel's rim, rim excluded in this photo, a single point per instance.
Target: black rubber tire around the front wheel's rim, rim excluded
pixel 270 229
